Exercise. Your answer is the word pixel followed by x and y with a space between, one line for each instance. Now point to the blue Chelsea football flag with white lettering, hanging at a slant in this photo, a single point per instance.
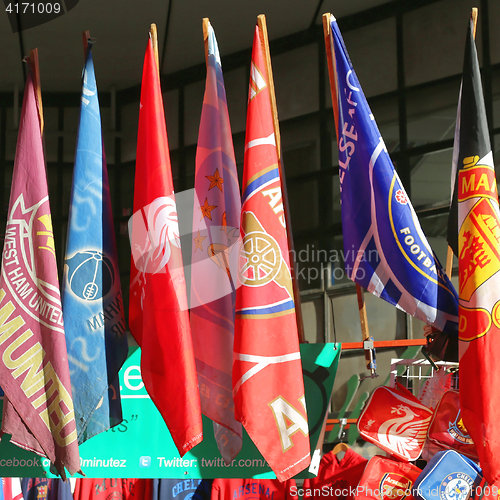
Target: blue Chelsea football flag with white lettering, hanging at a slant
pixel 385 249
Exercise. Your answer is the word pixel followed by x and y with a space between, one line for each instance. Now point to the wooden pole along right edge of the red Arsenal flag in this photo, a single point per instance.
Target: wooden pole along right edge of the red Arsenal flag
pixel 261 22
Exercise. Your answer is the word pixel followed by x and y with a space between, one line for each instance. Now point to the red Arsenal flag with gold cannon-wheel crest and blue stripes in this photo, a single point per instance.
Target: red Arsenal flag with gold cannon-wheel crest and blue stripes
pixel 267 374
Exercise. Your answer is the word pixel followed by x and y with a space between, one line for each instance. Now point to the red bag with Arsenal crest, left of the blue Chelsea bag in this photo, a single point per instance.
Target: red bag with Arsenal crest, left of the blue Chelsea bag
pixel 387 479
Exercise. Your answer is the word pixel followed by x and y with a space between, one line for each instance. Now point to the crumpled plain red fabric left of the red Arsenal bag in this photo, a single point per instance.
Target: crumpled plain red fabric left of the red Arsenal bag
pixel 336 478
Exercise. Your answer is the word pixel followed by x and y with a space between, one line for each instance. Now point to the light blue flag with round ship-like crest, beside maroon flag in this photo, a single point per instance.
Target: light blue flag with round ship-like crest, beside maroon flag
pixel 92 298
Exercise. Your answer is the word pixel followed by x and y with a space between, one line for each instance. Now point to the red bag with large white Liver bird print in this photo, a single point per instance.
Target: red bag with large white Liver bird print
pixel 396 421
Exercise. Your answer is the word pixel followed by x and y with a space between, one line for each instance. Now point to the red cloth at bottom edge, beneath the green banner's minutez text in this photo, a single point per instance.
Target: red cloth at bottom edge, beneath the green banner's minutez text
pixel 111 489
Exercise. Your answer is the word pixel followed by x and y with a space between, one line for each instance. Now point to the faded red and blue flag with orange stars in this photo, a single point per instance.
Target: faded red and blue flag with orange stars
pixel 215 248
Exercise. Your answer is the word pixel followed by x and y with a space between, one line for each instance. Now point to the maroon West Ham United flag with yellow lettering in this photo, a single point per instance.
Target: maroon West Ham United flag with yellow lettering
pixel 38 408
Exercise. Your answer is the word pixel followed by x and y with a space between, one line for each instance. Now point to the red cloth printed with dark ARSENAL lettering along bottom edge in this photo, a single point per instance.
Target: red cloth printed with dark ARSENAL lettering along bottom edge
pixel 253 489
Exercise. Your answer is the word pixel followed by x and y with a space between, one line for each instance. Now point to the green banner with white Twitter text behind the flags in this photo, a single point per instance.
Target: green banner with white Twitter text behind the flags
pixel 142 447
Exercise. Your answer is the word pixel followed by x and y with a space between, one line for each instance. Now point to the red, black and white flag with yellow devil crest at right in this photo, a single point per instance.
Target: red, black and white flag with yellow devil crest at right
pixel 478 265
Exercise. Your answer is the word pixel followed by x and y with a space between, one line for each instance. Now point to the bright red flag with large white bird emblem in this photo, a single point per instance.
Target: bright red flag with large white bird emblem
pixel 158 315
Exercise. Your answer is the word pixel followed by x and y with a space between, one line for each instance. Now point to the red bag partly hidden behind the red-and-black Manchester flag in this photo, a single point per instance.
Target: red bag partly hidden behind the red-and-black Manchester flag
pixel 447 428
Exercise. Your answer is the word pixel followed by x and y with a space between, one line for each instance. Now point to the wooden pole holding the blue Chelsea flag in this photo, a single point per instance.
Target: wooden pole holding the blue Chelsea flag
pixel 332 73
